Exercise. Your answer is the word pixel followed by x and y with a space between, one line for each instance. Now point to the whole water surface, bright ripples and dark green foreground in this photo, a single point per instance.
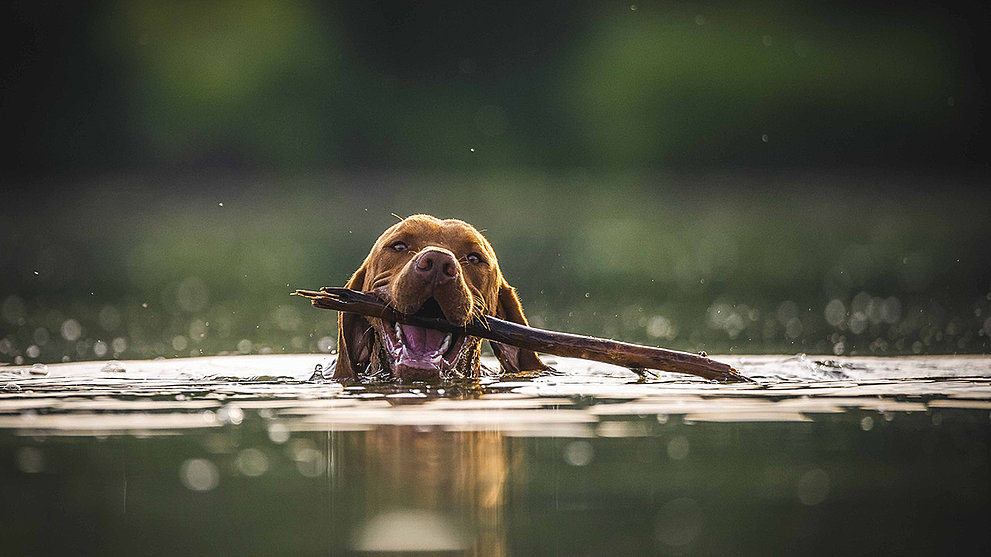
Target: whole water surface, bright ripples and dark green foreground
pixel 245 454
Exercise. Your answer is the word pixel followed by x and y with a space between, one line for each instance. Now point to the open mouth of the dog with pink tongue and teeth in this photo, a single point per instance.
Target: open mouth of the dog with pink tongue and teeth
pixel 419 353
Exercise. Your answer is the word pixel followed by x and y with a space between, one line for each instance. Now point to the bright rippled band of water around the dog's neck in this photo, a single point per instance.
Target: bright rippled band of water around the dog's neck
pixel 581 400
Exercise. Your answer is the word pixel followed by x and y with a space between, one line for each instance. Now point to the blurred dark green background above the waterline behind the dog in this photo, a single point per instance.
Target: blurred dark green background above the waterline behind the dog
pixel 729 177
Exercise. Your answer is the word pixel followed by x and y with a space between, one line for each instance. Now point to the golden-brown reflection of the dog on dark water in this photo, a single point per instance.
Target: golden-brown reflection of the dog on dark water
pixel 451 482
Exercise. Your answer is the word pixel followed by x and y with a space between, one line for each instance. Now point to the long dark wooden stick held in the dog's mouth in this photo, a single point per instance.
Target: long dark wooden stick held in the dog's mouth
pixel 634 356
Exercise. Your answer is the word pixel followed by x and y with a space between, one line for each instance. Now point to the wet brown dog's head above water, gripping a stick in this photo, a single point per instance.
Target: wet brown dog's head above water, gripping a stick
pixel 431 267
